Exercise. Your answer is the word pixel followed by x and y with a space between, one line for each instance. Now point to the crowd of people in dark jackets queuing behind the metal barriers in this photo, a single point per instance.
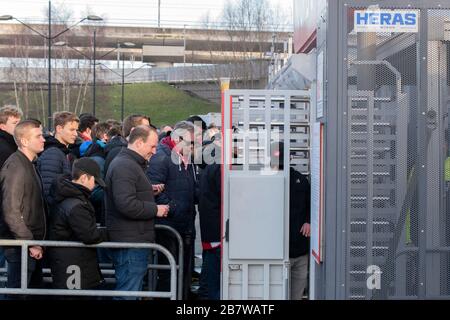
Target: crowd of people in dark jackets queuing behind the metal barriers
pixel 90 181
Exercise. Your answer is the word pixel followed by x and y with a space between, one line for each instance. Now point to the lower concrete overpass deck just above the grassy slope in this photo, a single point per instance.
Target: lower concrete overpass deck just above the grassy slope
pixel 202 81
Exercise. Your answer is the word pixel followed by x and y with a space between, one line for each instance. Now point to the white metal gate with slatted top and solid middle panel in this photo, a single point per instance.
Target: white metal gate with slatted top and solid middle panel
pixel 255 256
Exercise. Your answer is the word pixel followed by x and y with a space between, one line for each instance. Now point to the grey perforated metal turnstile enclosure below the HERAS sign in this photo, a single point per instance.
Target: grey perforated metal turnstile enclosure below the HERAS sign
pixel 397 141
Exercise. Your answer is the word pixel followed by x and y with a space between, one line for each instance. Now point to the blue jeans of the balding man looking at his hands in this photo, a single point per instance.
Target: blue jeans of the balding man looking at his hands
pixel 131 267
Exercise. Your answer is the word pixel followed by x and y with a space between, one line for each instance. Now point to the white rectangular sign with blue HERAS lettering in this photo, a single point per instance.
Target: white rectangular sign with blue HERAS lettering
pixel 387 20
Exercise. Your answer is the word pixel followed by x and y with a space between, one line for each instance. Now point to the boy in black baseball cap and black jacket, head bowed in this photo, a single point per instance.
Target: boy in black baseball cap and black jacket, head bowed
pixel 73 219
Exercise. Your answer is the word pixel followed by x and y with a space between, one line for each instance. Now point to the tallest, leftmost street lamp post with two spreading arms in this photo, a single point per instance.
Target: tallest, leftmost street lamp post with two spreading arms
pixel 50 38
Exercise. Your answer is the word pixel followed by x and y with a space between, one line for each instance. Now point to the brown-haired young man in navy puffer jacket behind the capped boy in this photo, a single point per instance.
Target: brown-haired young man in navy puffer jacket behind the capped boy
pixel 56 160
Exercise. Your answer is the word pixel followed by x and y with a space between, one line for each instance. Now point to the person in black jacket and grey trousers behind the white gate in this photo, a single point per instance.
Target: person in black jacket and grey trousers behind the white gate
pixel 299 222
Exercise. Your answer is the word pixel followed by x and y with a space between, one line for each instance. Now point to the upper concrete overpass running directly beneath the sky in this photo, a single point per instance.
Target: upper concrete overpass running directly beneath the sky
pixel 163 46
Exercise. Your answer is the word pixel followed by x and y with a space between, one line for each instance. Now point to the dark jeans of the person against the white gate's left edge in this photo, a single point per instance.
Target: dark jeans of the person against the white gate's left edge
pixel 212 268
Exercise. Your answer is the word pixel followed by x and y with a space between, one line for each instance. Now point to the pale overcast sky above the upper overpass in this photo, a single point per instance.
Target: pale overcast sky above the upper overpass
pixel 123 12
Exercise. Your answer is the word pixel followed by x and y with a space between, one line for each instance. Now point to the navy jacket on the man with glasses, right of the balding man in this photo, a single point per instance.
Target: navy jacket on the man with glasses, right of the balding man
pixel 179 192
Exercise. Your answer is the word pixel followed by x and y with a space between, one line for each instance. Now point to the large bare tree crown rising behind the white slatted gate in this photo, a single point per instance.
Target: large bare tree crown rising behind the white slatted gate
pixel 250 25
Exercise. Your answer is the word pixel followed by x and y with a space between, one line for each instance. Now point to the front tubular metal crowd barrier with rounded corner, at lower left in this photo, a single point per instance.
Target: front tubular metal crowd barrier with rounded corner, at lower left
pixel 24 244
